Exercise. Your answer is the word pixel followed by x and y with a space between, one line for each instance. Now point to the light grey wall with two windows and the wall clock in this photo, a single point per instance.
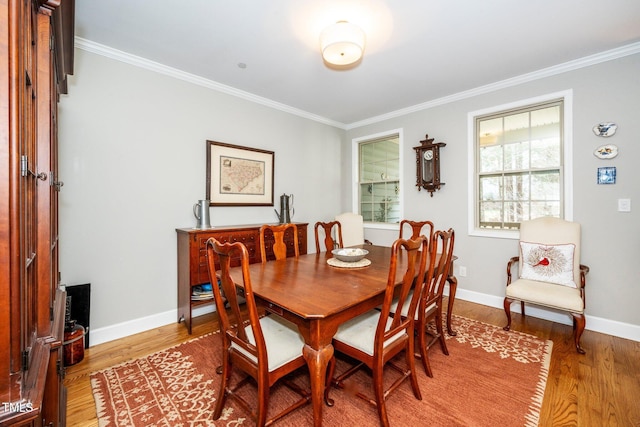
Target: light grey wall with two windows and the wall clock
pixel 611 240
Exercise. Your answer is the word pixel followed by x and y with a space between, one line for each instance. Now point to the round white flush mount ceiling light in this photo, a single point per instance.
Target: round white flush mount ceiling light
pixel 342 43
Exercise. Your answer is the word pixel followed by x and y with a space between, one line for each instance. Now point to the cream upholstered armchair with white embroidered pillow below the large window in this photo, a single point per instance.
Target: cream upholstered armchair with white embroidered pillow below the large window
pixel 550 272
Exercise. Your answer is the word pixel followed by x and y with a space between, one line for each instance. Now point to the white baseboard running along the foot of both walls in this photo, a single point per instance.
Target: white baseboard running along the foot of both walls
pixel 597 324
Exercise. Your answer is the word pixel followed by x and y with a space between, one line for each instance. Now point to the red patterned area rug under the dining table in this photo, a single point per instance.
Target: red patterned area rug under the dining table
pixel 491 378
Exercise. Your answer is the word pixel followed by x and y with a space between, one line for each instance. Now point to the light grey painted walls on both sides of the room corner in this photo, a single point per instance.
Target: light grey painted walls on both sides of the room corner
pixel 132 156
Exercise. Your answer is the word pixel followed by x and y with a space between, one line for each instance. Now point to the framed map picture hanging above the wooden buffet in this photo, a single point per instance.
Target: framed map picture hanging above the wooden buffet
pixel 239 176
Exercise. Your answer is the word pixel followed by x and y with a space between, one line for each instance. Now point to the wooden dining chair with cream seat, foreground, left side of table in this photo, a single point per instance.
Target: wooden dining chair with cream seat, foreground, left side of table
pixel 265 348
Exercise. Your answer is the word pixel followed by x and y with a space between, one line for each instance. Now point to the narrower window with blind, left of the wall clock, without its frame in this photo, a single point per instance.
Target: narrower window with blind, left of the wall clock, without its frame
pixel 378 177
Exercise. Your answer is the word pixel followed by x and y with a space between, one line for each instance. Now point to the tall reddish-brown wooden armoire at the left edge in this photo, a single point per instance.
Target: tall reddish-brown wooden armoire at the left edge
pixel 36 55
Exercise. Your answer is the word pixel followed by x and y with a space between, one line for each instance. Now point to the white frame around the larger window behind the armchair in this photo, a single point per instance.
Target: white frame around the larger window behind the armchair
pixel 566 168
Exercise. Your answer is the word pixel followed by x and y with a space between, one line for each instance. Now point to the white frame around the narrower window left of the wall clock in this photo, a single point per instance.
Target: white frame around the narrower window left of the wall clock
pixel 355 178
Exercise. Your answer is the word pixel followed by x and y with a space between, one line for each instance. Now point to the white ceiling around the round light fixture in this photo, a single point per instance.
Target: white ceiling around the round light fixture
pixel 417 51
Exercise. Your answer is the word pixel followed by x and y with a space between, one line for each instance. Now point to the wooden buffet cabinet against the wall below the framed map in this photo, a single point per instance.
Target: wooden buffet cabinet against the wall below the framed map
pixel 192 265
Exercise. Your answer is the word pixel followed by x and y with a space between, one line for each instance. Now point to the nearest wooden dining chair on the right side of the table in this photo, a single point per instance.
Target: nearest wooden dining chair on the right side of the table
pixel 376 337
